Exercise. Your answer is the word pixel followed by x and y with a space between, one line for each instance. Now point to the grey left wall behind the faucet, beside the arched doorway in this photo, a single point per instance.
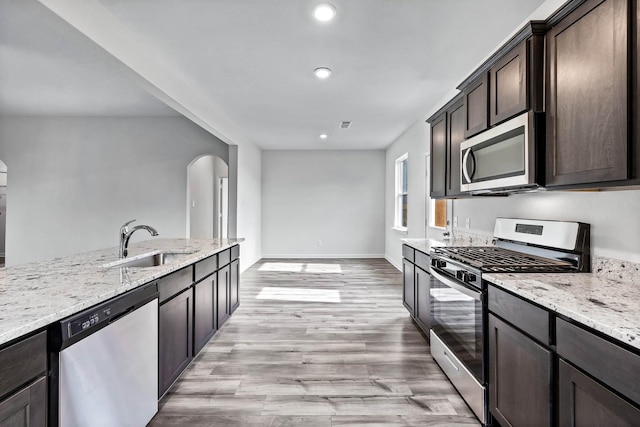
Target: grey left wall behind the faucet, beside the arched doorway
pixel 73 181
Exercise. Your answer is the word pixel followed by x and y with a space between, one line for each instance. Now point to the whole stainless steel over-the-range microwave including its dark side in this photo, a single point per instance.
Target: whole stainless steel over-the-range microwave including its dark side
pixel 506 158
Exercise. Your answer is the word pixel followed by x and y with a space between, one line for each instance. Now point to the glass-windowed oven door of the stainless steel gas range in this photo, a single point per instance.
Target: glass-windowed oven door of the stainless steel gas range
pixel 456 318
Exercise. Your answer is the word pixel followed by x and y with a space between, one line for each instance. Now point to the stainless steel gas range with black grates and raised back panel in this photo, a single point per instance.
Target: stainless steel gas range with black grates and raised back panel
pixel 458 295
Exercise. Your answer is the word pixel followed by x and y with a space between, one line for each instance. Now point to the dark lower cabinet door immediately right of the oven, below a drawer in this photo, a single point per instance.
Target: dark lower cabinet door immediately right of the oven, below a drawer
pixel 520 377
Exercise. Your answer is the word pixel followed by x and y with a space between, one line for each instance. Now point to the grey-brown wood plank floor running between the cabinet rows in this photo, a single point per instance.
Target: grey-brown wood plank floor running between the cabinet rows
pixel 316 343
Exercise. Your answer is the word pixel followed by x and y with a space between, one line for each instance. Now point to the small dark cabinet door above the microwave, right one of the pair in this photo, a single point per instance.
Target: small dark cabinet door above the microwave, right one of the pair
pixel 508 85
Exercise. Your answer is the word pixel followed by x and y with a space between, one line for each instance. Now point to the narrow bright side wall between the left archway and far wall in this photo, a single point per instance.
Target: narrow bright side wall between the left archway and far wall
pixel 248 191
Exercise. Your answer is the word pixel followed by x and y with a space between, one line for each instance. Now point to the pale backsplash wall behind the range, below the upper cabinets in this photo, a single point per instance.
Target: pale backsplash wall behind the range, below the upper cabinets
pixel 613 215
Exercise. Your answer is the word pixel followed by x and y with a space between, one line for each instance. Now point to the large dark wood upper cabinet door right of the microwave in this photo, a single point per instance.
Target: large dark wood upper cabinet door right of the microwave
pixel 587 141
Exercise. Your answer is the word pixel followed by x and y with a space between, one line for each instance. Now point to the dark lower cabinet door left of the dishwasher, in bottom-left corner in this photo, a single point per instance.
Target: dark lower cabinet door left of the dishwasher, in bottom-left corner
pixel 26 408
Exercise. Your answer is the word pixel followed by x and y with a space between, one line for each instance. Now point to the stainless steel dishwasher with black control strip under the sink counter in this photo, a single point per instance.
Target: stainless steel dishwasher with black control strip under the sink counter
pixel 106 370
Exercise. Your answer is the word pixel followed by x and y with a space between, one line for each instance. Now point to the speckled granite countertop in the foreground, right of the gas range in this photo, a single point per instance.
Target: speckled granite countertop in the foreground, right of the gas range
pixel 604 304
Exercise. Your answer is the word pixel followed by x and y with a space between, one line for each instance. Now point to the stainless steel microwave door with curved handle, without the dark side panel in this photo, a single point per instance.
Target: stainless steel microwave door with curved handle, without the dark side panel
pixel 498 158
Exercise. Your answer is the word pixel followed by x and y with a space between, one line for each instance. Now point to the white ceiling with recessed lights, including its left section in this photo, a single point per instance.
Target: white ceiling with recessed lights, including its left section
pixel 243 69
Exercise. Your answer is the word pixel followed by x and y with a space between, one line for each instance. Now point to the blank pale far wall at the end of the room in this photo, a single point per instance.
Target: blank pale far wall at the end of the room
pixel 336 197
